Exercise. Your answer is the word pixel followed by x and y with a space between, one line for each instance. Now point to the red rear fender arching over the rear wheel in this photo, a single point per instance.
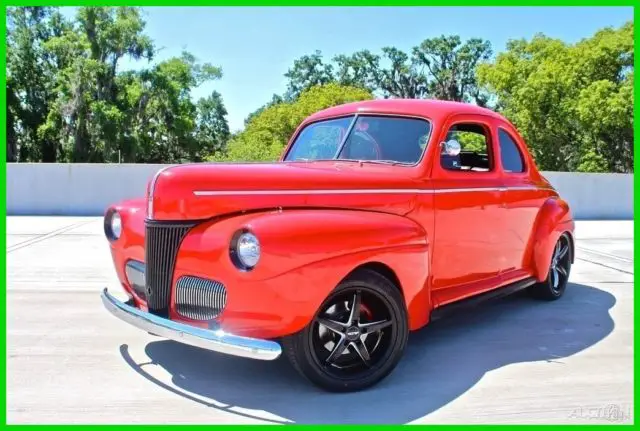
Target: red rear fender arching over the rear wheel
pixel 554 219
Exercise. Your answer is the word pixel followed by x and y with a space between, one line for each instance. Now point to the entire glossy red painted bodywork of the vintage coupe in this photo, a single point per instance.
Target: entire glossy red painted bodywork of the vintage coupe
pixel 446 235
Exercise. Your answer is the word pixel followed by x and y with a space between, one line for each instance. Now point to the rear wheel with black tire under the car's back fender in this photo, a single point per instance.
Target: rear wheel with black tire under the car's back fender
pixel 559 269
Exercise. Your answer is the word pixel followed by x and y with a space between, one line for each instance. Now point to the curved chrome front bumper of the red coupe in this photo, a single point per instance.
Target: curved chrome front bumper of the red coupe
pixel 217 341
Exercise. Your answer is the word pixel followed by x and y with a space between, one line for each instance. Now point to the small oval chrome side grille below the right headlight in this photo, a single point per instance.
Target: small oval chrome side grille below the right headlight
pixel 200 299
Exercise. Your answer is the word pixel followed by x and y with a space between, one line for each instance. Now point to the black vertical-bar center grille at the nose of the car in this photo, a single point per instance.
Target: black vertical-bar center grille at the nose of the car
pixel 162 240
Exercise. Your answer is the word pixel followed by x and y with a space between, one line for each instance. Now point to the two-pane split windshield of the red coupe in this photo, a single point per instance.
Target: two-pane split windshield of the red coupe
pixel 367 138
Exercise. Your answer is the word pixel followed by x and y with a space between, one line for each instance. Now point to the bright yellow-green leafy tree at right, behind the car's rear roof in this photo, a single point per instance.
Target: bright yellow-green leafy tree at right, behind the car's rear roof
pixel 572 103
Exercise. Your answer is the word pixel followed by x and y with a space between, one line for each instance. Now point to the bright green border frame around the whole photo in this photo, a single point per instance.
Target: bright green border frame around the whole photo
pixel 512 3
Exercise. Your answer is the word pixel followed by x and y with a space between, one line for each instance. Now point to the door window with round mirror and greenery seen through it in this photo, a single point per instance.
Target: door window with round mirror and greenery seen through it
pixel 474 144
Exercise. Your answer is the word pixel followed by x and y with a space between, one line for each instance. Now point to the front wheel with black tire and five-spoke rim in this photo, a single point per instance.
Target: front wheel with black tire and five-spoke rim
pixel 357 337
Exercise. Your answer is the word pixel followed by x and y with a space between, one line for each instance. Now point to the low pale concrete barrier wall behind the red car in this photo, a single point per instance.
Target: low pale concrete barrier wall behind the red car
pixel 87 189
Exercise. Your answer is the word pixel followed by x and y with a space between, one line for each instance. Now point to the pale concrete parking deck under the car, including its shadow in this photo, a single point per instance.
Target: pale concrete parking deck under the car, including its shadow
pixel 514 360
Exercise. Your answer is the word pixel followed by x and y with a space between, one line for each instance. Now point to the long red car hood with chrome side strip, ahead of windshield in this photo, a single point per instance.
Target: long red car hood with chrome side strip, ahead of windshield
pixel 201 191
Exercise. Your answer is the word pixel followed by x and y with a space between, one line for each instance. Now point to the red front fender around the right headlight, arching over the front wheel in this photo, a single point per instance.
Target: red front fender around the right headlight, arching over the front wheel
pixel 305 254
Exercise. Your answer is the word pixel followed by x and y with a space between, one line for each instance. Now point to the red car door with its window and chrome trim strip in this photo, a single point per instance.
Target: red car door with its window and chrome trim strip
pixel 467 253
